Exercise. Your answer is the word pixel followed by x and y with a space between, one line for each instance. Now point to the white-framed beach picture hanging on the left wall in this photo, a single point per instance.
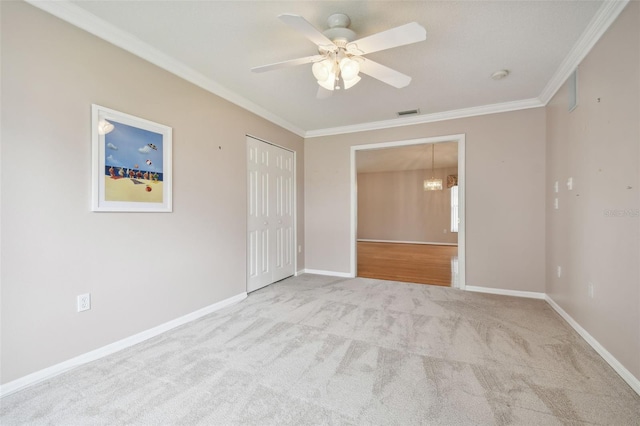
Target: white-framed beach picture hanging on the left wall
pixel 131 163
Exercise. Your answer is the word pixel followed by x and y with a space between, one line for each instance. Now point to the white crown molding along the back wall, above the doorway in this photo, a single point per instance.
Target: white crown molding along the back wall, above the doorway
pixel 428 118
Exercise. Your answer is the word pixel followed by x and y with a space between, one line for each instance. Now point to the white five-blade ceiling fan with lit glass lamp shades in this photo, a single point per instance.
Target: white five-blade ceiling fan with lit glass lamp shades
pixel 340 56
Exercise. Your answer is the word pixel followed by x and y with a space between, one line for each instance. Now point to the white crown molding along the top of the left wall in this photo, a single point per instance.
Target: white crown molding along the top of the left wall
pixel 86 21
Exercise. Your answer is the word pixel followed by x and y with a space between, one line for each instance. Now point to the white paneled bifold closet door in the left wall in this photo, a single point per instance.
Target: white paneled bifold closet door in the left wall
pixel 271 237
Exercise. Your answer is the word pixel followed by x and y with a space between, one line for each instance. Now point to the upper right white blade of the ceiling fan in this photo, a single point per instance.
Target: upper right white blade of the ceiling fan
pixel 399 36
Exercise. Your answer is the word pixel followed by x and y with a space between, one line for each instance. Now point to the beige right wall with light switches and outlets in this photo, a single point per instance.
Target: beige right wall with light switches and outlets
pixel 595 234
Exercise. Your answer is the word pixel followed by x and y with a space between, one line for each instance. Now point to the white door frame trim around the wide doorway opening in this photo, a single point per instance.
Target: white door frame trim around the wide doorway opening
pixel 460 139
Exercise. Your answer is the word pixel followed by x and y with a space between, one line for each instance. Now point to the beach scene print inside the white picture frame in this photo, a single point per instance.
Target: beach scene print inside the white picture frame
pixel 133 165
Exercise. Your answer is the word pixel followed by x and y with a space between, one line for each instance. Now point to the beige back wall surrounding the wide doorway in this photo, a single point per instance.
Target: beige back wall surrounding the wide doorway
pixel 505 155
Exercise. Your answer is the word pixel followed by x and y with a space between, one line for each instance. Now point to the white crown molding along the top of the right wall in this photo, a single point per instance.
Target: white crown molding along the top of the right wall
pixel 607 13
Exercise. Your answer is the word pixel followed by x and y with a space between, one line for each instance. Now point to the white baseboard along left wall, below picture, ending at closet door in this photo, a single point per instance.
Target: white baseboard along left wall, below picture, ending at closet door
pixel 54 370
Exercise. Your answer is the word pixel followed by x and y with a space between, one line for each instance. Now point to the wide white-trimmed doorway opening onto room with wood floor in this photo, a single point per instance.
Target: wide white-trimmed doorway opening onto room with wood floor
pixel 396 242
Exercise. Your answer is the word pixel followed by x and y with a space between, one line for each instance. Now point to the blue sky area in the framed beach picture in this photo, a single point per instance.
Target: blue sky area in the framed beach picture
pixel 127 146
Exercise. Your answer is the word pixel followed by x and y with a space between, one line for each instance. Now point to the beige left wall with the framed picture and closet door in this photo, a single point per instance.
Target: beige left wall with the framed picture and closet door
pixel 141 269
